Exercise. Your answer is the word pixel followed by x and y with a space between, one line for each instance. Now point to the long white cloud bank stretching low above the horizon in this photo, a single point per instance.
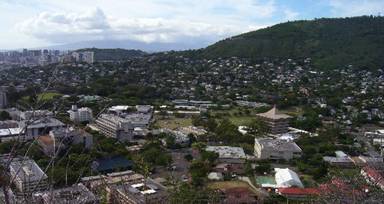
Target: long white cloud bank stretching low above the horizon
pixel 96 25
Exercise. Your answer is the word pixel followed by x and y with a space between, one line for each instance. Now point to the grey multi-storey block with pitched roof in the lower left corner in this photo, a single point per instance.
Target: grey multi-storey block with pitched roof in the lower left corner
pixel 27 176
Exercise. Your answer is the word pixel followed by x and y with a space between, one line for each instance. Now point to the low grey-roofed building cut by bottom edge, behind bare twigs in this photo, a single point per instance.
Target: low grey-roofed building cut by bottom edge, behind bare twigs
pixel 76 194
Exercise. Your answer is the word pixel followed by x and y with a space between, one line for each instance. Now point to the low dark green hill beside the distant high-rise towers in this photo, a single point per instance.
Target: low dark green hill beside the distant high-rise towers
pixel 114 54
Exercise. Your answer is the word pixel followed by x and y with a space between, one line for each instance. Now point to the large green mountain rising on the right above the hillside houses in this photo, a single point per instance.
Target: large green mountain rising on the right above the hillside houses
pixel 330 42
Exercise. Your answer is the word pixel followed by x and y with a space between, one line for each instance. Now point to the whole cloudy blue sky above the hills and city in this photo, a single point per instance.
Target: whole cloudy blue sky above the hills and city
pixel 39 23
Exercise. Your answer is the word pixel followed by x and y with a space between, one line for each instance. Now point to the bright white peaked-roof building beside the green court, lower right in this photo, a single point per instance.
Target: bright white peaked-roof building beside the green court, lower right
pixel 286 178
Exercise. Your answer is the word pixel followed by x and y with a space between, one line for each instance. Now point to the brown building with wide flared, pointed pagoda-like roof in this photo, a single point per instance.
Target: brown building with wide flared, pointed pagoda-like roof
pixel 277 122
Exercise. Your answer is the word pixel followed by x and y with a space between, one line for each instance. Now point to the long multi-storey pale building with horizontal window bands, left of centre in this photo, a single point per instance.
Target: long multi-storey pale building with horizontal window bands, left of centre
pixel 114 126
